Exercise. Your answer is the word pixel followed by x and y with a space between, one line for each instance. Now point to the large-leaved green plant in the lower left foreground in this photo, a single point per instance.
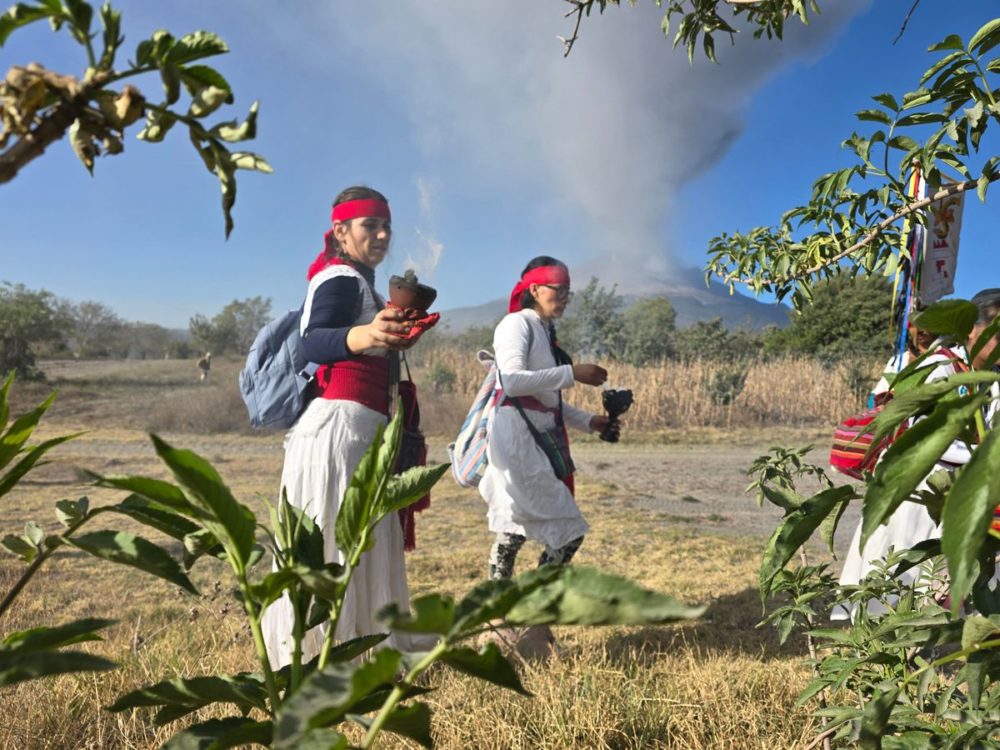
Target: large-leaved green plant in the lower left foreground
pixel 304 704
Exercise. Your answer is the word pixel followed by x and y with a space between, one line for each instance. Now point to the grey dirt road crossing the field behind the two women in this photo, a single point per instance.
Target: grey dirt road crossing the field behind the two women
pixel 694 486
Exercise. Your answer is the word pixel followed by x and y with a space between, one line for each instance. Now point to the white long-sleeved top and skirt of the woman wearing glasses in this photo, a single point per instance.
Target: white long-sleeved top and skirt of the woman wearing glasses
pixel 522 492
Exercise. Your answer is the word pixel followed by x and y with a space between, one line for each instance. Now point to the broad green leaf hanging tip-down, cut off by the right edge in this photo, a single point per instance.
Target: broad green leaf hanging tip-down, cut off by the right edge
pixel 968 512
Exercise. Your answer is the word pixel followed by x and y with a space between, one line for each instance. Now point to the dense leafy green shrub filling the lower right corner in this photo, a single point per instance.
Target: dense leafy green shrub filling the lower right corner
pixel 922 669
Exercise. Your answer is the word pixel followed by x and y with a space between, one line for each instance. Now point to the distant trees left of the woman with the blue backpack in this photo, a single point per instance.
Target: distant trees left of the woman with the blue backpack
pixel 36 324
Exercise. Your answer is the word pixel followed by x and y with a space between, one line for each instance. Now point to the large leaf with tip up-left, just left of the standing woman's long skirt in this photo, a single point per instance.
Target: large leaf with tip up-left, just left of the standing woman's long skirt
pixel 232 524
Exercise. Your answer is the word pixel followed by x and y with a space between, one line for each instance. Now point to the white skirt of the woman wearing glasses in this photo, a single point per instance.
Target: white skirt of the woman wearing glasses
pixel 522 491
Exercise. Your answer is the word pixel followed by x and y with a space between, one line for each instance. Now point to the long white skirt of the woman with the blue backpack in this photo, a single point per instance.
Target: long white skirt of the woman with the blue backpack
pixel 322 451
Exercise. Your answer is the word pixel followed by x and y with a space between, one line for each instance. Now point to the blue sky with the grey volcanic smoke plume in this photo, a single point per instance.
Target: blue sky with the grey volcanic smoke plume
pixel 491 147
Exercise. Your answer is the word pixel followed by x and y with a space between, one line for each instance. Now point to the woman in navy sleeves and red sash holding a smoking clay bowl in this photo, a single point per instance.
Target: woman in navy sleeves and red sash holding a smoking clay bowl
pixel 346 327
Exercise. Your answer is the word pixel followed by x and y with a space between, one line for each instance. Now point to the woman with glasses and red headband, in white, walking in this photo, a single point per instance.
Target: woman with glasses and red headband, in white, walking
pixel 528 483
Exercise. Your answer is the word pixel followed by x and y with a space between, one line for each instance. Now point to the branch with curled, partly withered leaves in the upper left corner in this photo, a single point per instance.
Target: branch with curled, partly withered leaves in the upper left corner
pixel 39 106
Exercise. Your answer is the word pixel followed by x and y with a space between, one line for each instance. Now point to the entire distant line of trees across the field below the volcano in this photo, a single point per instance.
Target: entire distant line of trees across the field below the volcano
pixel 848 321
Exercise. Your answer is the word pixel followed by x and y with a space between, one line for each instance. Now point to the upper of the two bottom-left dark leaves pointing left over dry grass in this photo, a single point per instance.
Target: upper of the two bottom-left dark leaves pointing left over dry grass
pixel 247 691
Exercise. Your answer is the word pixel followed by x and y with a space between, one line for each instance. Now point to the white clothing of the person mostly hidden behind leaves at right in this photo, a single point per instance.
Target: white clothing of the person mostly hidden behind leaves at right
pixel 910 524
